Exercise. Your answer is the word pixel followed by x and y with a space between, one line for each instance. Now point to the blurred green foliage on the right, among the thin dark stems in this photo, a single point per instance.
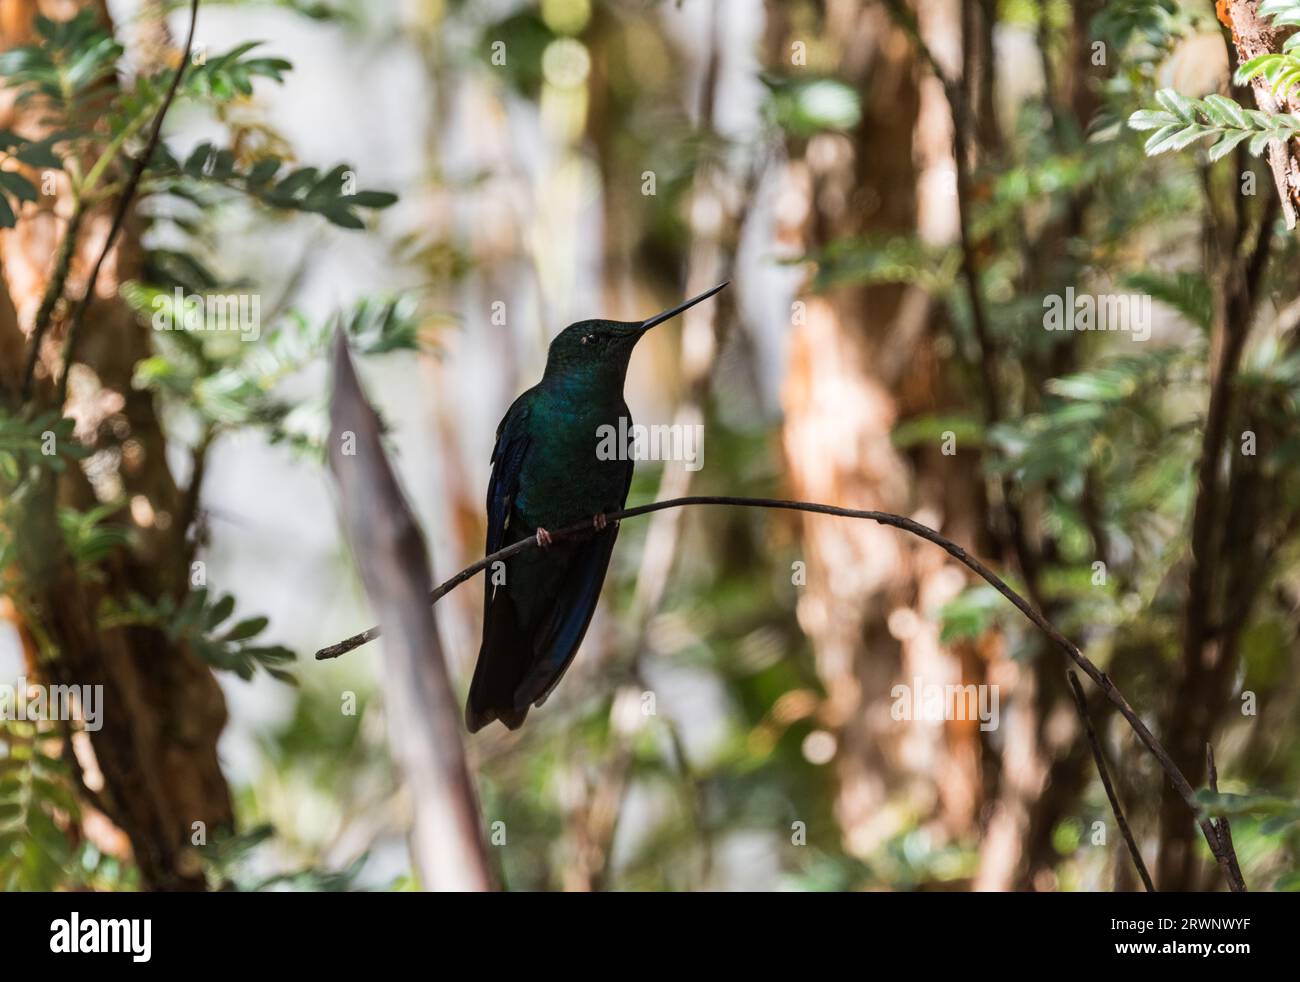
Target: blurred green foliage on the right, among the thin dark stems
pixel 1102 432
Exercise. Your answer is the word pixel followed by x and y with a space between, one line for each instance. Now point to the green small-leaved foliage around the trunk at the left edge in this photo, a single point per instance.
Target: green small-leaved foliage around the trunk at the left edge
pixel 99 115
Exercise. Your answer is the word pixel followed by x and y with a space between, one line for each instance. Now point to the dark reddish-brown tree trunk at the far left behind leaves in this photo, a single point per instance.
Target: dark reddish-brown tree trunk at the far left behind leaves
pixel 163 711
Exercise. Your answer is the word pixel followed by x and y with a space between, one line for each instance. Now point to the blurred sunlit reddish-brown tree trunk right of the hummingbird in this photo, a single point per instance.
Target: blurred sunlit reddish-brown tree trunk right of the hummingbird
pixel 861 358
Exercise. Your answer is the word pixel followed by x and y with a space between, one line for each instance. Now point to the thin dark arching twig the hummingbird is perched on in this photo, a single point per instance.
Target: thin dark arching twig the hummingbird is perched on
pixel 885 518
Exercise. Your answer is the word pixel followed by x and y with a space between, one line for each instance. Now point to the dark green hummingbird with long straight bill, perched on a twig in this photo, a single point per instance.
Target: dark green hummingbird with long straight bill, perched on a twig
pixel 547 475
